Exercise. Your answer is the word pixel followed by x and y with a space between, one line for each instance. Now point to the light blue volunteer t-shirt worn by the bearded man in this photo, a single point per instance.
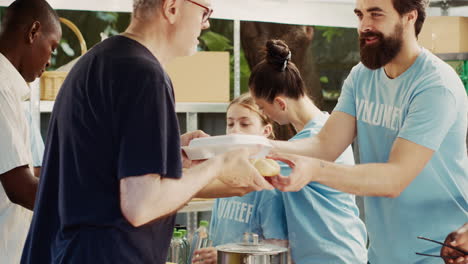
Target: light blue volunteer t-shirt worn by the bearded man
pixel 427 105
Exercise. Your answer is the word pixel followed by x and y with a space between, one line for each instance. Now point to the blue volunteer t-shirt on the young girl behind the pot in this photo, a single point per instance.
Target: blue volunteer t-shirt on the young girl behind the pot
pixel 257 212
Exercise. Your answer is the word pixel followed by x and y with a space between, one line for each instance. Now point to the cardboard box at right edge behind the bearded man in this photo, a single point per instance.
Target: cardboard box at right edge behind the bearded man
pixel 445 34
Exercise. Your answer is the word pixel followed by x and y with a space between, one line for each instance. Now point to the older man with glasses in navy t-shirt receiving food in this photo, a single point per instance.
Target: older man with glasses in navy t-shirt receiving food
pixel 112 174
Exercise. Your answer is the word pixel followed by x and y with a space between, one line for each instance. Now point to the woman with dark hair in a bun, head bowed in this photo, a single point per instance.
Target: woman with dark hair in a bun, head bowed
pixel 323 223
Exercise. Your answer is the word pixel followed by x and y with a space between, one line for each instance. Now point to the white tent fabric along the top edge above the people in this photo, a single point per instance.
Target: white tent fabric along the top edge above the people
pixel 306 12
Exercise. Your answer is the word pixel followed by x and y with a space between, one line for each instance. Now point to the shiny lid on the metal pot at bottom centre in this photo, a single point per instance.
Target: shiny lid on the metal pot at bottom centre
pixel 248 248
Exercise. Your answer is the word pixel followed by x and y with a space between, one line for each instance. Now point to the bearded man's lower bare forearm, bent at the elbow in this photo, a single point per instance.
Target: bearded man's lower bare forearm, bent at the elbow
pixel 389 179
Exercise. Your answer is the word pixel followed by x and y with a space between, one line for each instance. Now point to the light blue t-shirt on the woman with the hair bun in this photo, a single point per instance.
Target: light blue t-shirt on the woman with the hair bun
pixel 323 223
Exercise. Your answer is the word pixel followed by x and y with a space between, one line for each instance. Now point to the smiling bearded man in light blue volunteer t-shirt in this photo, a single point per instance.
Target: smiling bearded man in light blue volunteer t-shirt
pixel 408 111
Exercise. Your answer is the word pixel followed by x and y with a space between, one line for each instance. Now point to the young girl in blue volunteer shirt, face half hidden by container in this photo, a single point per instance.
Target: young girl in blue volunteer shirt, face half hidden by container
pixel 257 212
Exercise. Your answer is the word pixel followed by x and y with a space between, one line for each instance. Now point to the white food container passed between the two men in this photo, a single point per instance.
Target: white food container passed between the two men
pixel 208 147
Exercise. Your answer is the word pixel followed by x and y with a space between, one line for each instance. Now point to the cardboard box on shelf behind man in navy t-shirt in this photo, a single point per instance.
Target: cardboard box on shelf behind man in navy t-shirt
pixel 203 77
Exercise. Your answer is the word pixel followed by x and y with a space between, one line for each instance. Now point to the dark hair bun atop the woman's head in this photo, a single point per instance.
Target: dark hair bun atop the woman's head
pixel 277 54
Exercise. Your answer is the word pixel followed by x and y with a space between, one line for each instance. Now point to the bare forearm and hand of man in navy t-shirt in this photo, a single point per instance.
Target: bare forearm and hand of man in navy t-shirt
pixel 148 197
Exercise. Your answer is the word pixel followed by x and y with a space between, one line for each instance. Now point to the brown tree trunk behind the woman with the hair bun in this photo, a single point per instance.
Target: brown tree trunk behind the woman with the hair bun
pixel 254 35
